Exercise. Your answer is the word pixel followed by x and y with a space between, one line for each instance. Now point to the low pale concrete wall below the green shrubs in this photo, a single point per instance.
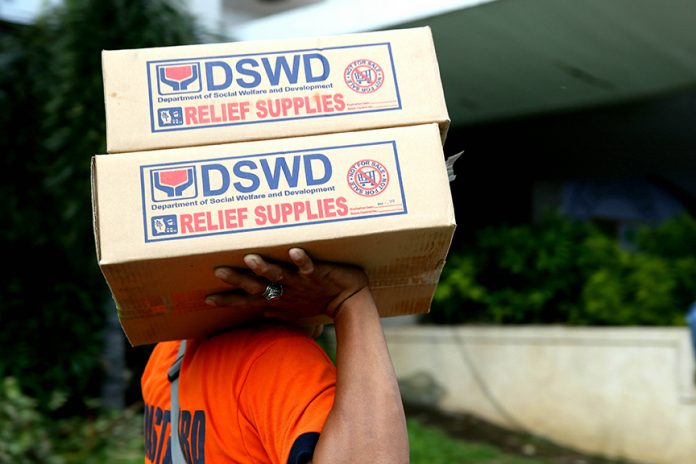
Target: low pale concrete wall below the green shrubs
pixel 618 392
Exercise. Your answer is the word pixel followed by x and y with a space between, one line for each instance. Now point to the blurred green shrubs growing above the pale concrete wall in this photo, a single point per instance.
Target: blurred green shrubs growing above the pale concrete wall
pixel 566 272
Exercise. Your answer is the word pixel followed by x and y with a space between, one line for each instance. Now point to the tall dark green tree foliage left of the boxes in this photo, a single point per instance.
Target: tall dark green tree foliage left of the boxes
pixel 52 102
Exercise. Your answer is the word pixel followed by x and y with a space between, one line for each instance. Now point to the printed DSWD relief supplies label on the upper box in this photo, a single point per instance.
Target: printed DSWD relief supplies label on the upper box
pixel 211 91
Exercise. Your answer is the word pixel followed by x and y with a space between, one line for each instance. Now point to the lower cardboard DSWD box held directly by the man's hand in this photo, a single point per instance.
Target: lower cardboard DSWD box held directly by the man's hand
pixel 164 220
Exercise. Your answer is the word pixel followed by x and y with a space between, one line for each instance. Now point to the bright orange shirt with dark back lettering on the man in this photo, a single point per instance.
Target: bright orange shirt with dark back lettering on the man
pixel 246 396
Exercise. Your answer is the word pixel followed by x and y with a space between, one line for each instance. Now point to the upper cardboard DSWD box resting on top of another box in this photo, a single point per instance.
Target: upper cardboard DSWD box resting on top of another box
pixel 219 93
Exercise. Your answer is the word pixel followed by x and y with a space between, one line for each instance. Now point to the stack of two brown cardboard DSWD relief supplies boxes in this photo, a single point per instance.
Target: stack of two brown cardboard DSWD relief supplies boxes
pixel 333 144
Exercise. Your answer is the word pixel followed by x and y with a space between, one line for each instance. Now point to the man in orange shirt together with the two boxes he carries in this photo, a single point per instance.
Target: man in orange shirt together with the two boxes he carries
pixel 237 162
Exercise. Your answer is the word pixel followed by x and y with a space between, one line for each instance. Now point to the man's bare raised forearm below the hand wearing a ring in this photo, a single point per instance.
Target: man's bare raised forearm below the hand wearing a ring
pixel 367 420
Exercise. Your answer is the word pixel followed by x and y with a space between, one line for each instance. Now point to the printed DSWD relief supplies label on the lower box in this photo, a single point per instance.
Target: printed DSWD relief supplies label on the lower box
pixel 250 192
